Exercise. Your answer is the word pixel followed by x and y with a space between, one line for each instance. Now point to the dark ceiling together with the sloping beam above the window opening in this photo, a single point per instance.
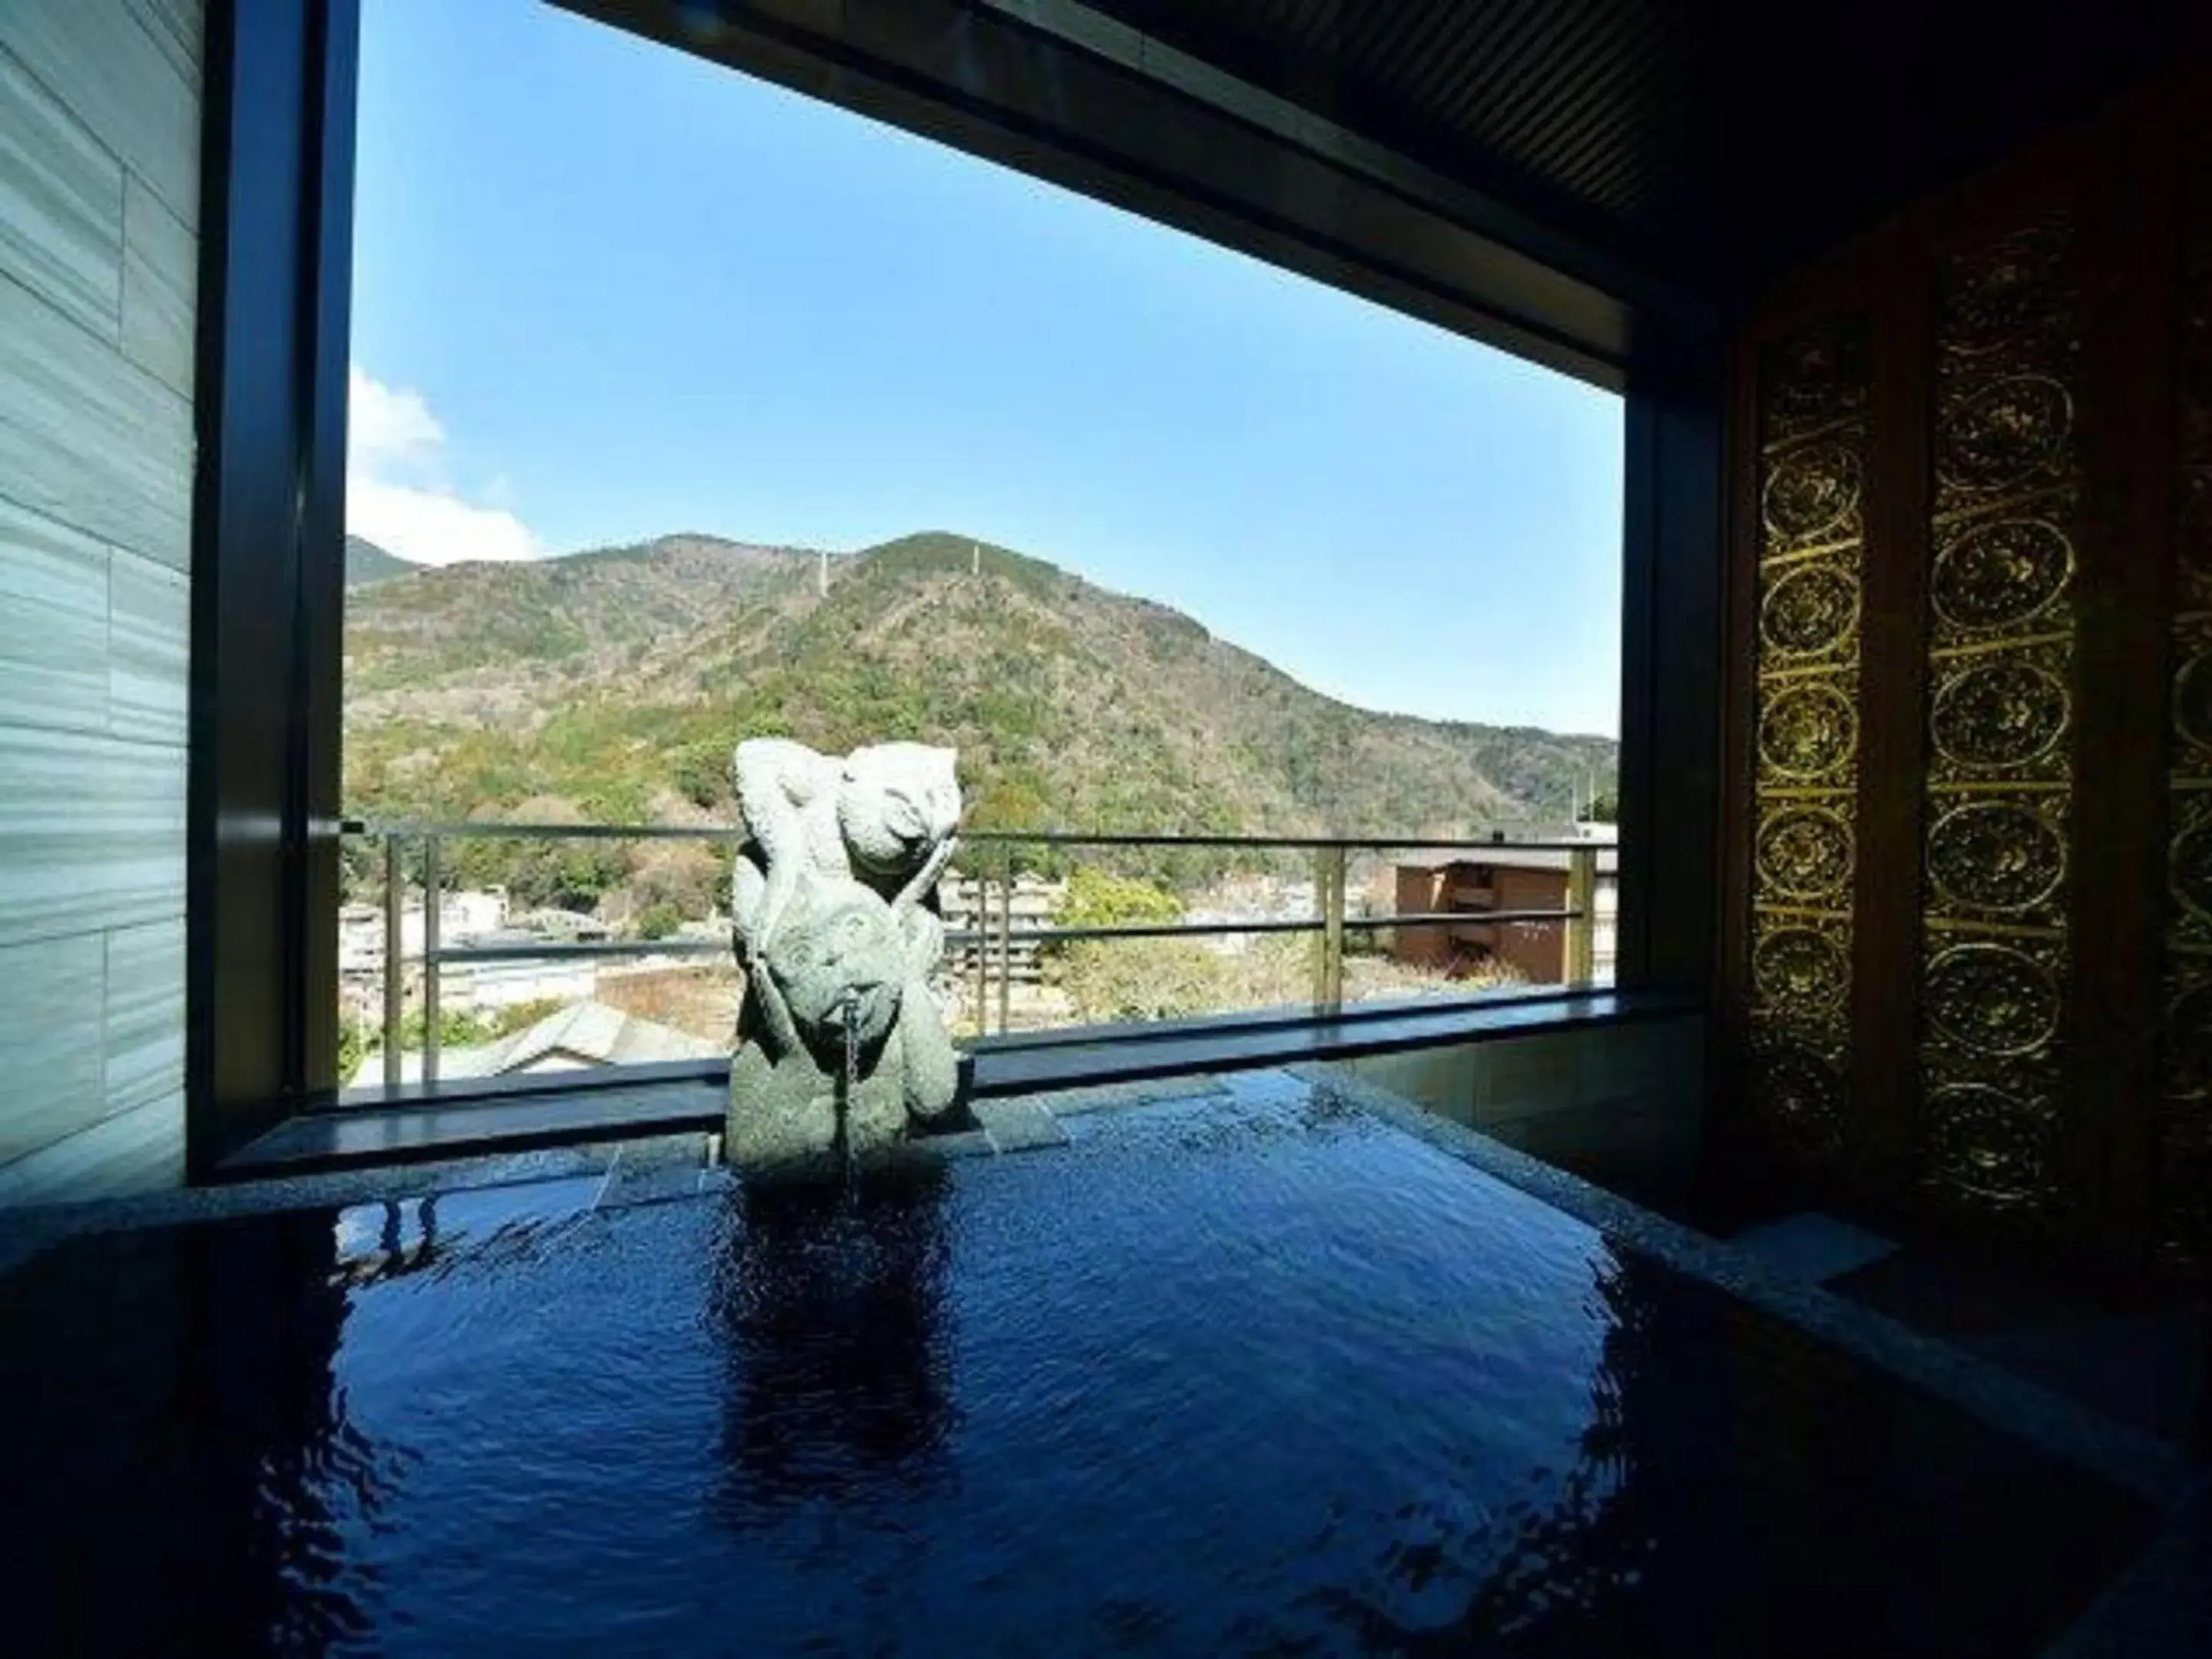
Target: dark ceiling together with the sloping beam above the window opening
pixel 1592 185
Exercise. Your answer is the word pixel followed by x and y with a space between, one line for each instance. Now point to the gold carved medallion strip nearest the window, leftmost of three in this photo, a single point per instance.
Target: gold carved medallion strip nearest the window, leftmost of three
pixel 1813 470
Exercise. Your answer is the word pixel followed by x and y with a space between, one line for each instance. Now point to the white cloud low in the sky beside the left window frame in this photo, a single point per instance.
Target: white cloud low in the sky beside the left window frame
pixel 399 494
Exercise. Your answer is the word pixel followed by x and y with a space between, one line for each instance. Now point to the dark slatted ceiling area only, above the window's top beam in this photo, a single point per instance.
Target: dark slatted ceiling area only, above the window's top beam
pixel 1711 140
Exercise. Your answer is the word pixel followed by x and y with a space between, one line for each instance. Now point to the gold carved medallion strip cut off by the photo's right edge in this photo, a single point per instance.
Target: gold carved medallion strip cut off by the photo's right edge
pixel 2187 1072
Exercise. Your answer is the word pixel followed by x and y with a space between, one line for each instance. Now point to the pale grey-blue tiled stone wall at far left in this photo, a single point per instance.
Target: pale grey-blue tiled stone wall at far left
pixel 98 273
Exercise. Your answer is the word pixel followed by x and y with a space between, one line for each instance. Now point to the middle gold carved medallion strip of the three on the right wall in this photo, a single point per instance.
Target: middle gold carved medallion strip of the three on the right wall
pixel 2001 711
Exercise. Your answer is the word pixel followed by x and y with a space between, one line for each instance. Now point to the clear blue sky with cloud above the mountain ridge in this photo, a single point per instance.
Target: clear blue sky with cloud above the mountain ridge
pixel 607 291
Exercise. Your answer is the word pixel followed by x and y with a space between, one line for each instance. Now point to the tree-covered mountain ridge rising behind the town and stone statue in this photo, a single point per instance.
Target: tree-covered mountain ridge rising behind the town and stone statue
pixel 614 685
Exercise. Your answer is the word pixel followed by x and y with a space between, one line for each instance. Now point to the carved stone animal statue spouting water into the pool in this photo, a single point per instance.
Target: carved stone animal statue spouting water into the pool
pixel 839 1041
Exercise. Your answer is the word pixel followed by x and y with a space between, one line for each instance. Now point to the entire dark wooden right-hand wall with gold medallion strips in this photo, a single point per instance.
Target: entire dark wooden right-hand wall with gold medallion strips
pixel 1972 910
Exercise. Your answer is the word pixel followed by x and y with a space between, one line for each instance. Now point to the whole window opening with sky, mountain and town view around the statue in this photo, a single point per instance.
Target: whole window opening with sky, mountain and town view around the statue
pixel 687 410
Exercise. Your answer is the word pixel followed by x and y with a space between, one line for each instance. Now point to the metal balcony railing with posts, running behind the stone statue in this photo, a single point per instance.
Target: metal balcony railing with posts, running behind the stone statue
pixel 1331 924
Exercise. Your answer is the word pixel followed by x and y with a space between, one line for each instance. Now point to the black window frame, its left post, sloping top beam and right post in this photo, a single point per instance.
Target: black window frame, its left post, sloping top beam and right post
pixel 1089 112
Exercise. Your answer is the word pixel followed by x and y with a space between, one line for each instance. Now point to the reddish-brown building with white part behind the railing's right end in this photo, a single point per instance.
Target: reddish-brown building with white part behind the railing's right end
pixel 1499 879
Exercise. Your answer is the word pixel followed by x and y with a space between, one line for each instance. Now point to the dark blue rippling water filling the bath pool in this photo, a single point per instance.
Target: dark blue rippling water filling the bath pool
pixel 1238 1375
